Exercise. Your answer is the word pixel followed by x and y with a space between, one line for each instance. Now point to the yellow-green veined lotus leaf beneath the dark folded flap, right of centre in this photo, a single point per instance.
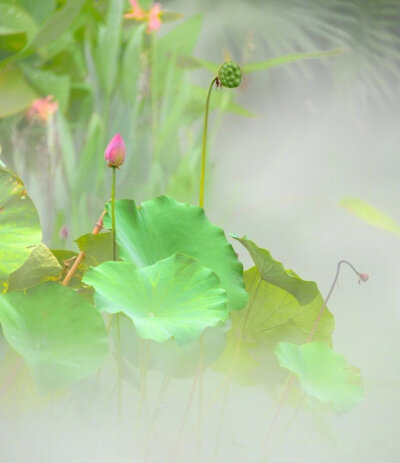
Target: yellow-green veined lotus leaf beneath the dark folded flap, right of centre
pixel 272 315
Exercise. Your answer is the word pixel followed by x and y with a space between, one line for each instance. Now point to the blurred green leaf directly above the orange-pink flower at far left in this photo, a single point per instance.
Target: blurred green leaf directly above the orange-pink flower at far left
pixel 48 83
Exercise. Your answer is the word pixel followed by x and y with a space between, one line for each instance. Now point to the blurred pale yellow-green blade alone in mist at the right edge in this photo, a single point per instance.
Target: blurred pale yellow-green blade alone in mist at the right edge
pixel 371 215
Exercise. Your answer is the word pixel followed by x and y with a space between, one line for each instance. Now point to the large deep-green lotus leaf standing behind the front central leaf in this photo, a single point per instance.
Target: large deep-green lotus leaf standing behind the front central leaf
pixel 162 227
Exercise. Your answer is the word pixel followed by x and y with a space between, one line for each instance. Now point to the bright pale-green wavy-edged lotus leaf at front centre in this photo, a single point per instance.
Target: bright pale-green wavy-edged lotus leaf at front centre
pixel 175 297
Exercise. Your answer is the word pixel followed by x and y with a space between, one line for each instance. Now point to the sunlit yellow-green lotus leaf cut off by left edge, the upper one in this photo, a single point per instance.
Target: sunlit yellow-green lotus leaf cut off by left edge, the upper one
pixel 20 229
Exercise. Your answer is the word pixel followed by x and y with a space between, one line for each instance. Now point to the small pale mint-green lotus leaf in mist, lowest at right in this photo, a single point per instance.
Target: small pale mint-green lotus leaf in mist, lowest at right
pixel 323 373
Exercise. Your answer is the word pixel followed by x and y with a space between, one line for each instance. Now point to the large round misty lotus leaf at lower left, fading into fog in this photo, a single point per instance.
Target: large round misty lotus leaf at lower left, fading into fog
pixel 61 336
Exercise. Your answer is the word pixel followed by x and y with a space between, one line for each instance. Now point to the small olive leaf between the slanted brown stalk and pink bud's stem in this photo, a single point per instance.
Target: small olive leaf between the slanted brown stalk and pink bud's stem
pixel 98 248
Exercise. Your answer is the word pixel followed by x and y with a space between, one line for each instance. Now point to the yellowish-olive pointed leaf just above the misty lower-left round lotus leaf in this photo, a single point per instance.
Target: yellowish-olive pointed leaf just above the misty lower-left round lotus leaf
pixel 40 266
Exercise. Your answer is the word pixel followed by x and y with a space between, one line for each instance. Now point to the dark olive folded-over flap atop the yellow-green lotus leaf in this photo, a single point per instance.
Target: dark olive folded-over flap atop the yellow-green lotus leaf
pixel 274 272
